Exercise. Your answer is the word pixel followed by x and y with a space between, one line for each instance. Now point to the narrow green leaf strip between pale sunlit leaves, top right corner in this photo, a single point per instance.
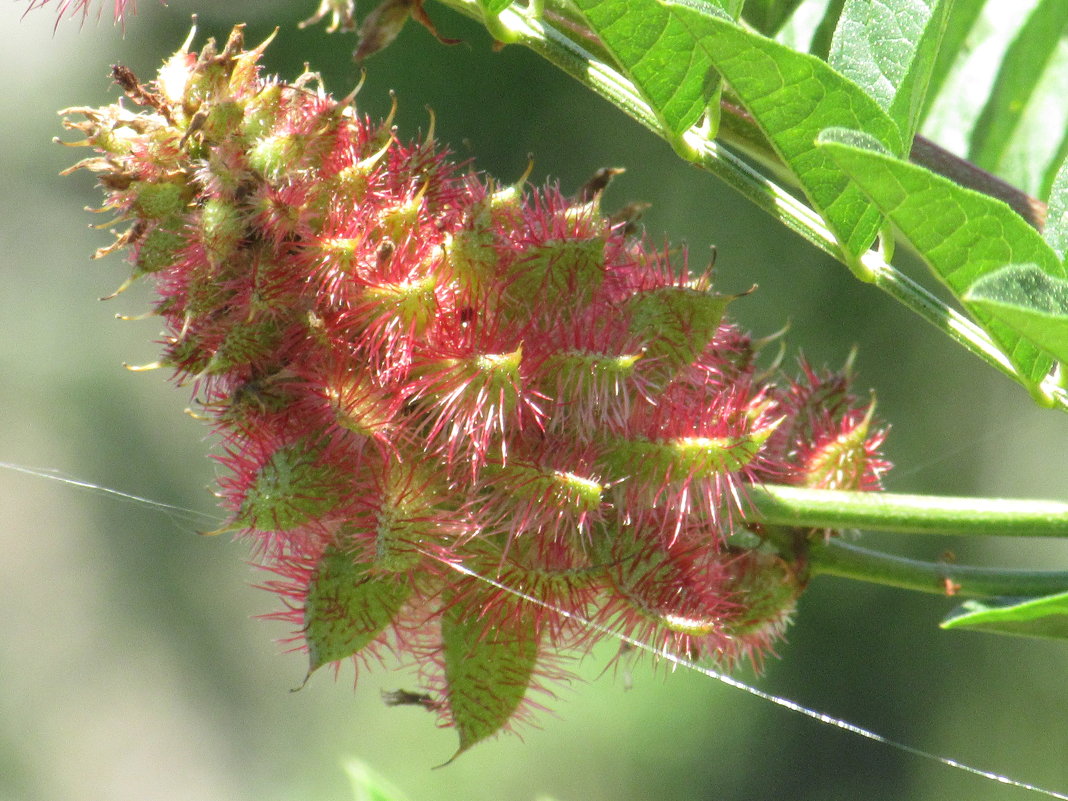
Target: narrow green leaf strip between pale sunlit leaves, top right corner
pixel 1020 72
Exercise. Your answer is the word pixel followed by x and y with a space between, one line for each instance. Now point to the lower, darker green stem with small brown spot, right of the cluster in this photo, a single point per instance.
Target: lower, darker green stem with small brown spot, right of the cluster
pixel 944 578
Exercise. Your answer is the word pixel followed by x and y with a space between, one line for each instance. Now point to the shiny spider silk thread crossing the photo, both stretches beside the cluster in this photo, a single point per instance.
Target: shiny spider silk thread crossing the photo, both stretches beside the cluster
pixel 793 706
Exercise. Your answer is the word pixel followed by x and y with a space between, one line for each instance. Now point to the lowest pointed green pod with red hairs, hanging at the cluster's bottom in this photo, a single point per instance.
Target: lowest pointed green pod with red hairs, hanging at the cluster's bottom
pixel 489 668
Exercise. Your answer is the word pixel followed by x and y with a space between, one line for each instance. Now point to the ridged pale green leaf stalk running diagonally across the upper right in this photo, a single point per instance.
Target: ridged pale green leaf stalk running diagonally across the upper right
pixel 562 49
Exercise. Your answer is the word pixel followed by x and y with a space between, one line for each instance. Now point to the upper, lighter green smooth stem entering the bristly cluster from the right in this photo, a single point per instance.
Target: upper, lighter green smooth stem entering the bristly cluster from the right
pixel 825 509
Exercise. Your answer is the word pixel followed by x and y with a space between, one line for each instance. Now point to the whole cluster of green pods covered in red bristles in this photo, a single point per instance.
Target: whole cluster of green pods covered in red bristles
pixel 412 370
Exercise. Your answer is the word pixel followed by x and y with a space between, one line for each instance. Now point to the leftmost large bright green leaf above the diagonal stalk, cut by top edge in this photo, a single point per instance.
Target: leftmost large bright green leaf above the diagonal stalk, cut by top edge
pixel 654 50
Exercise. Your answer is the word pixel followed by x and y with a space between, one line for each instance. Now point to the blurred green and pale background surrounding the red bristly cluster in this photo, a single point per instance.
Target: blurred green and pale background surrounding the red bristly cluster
pixel 131 665
